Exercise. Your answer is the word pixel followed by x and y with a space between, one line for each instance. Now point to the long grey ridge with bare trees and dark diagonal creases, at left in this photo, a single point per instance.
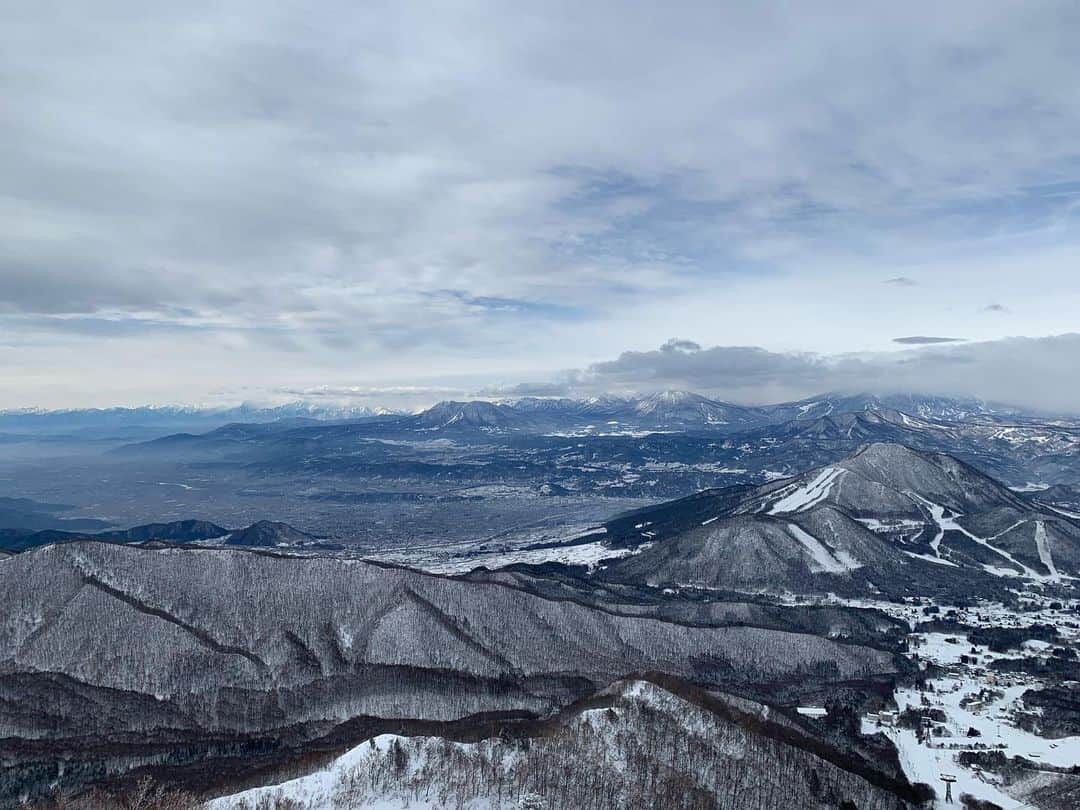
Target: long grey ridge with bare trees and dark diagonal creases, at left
pixel 107 646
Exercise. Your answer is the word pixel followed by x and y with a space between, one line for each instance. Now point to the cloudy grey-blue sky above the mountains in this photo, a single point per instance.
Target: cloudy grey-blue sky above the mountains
pixel 212 202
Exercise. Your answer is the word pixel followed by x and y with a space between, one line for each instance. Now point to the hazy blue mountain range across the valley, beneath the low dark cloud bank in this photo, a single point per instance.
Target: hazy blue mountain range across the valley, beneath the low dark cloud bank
pixel 659 447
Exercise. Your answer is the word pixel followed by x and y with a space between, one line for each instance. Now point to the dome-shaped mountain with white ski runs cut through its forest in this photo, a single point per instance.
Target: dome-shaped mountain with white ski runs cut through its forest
pixel 888 520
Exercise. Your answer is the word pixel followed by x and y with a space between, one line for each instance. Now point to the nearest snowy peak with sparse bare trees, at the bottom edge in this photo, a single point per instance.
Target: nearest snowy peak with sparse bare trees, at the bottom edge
pixel 643 744
